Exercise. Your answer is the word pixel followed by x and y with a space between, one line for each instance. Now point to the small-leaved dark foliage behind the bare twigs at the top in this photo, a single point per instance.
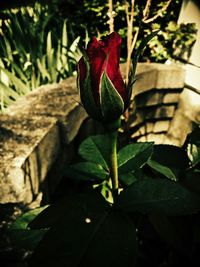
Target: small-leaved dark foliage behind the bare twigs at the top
pixel 174 41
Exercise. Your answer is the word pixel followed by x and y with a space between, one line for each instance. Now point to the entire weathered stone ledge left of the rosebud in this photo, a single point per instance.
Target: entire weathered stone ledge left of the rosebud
pixel 35 130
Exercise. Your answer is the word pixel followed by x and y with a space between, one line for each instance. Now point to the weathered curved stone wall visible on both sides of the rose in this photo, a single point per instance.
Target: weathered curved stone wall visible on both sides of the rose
pixel 37 132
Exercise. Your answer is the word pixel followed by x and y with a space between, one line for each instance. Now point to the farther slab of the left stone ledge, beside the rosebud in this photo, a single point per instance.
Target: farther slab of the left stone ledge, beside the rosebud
pixel 59 101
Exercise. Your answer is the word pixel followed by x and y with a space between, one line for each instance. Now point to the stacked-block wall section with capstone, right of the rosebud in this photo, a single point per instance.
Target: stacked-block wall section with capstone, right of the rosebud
pixel 156 97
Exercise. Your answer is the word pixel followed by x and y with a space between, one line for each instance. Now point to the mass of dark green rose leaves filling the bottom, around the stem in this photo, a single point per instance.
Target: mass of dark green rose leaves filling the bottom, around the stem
pixel 86 230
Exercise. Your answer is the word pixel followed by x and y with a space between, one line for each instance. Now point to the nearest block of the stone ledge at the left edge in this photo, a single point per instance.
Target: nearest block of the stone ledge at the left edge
pixel 24 142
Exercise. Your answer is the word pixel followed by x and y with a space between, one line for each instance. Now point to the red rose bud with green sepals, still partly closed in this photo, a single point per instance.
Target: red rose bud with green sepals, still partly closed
pixel 102 90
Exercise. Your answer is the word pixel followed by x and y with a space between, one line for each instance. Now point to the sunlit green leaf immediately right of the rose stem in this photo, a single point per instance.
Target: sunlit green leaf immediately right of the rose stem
pixel 134 156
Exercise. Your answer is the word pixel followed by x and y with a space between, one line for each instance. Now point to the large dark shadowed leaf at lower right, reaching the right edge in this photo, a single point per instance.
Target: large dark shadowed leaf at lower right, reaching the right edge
pixel 158 196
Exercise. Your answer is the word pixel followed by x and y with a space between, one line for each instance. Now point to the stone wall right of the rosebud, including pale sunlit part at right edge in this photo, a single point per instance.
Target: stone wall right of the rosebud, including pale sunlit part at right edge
pixel 164 110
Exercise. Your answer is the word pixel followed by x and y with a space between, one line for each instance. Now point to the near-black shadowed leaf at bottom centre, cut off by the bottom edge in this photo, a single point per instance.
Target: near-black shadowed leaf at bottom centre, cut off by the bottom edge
pixel 114 244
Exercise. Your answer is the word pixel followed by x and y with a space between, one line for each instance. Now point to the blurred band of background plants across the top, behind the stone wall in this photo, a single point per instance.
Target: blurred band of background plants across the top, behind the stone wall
pixel 39 41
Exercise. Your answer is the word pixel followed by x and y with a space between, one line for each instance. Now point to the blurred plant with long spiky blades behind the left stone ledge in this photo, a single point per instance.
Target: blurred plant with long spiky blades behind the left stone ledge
pixel 35 49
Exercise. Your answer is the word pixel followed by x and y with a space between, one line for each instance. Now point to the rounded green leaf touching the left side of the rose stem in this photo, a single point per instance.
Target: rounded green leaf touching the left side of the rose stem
pixel 96 149
